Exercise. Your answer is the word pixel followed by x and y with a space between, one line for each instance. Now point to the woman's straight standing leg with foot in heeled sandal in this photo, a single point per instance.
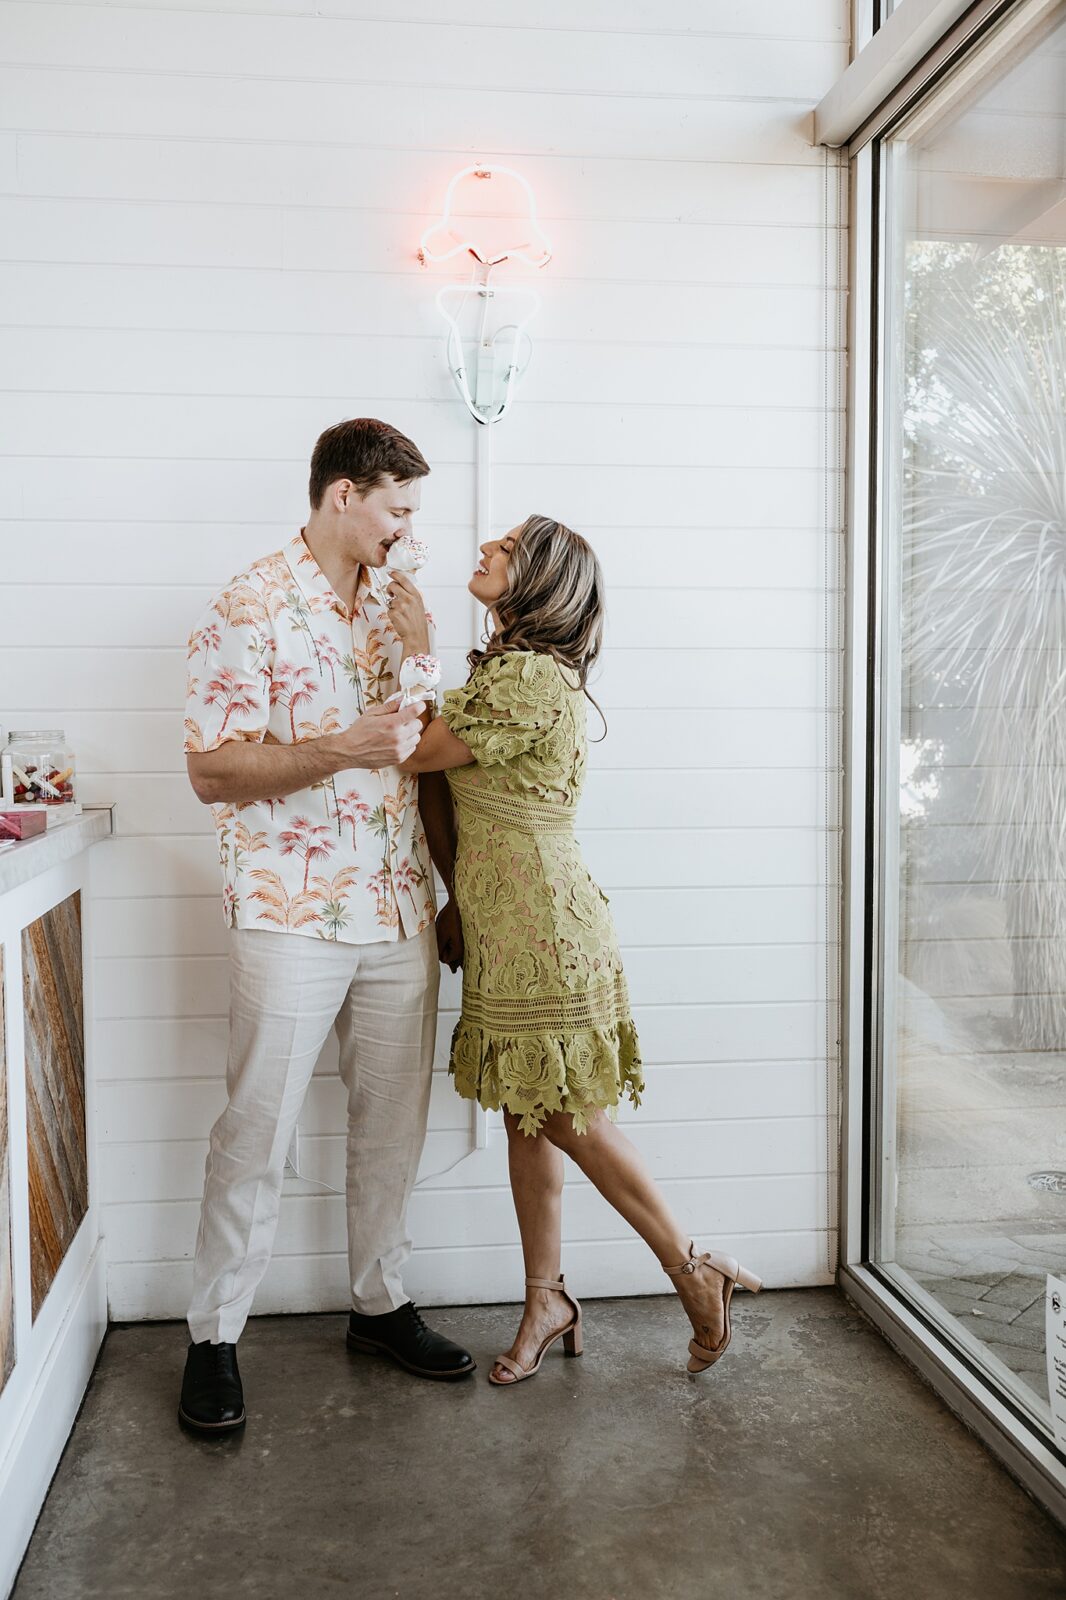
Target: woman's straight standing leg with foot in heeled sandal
pixel 537 1175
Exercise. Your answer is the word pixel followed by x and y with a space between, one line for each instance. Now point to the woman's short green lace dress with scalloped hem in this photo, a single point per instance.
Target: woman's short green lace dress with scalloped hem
pixel 547 1022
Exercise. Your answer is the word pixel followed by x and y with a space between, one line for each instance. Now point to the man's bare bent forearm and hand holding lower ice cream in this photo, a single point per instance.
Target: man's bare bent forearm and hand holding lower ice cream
pixel 246 770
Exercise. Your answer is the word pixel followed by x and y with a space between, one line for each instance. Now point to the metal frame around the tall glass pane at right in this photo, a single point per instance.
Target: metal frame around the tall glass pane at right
pixel 913 1322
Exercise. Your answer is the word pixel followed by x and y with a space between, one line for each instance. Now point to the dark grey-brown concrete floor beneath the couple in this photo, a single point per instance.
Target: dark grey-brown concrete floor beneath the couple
pixel 811 1463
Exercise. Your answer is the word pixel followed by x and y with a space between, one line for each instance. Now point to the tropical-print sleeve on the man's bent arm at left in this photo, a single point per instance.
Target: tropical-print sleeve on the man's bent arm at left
pixel 228 692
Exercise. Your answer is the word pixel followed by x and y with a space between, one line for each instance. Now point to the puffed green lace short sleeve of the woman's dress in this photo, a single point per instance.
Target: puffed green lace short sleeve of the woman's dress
pixel 510 706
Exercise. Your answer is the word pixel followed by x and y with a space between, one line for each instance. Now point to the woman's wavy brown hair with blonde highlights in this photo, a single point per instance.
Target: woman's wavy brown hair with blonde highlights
pixel 553 602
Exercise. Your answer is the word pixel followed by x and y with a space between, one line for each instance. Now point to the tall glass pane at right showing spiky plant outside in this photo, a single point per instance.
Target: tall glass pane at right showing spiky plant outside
pixel 969 1170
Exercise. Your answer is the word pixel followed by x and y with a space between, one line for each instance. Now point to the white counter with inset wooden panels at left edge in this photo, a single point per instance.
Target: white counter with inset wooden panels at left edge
pixel 54 1279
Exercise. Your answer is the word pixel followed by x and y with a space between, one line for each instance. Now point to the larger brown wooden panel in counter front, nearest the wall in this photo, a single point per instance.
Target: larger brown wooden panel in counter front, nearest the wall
pixel 55 1089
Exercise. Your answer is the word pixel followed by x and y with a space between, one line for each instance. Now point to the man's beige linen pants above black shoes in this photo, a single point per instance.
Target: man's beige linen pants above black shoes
pixel 287 991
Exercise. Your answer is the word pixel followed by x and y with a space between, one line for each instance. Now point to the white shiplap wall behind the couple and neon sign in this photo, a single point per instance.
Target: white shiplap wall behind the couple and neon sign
pixel 209 228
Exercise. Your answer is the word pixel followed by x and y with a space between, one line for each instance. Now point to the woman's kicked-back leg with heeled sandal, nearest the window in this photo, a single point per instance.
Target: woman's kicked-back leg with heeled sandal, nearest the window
pixel 617 1169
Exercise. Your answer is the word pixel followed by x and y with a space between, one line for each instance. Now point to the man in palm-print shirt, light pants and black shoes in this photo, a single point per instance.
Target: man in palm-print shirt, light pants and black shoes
pixel 329 897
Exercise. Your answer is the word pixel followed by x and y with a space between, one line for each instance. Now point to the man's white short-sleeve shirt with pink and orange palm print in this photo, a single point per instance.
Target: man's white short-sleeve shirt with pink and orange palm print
pixel 278 658
